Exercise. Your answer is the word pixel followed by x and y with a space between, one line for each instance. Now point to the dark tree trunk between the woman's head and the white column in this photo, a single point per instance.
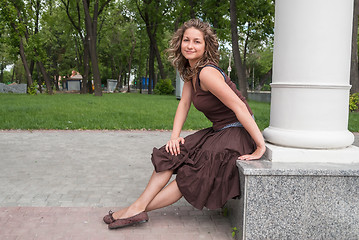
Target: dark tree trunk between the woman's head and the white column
pixel 241 76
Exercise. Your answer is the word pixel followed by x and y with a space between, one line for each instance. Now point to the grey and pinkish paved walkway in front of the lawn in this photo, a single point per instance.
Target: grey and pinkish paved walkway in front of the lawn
pixel 59 185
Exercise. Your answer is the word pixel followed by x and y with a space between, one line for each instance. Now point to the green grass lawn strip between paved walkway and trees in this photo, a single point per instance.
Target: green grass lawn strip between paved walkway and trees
pixel 111 111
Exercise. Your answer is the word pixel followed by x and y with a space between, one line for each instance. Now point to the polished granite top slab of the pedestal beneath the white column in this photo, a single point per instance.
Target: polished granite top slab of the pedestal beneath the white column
pixel 266 168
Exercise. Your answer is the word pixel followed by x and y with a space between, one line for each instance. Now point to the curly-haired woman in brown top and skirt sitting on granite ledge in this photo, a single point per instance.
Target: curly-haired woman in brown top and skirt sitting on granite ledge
pixel 205 162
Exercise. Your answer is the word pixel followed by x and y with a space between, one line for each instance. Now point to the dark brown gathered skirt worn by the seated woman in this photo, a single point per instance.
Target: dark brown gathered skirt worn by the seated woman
pixel 206 171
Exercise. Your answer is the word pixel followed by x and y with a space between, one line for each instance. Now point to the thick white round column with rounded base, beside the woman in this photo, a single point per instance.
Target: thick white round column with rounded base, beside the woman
pixel 311 67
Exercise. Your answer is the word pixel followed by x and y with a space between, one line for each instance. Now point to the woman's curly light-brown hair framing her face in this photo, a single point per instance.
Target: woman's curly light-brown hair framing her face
pixel 211 53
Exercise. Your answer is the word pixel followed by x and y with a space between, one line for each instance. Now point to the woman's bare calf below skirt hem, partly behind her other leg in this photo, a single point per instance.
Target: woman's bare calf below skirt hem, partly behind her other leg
pixel 167 196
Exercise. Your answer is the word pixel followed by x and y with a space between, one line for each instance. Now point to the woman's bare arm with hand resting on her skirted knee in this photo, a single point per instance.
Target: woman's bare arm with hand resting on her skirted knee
pixel 183 107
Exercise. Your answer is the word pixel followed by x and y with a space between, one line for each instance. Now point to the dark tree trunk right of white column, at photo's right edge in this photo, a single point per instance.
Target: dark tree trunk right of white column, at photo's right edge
pixel 354 74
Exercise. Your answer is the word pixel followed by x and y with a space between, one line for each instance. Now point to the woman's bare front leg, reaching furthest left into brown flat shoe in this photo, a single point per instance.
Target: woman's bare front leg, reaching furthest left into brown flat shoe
pixel 154 186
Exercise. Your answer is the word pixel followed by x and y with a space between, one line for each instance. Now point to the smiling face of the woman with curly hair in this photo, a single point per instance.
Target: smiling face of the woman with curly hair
pixel 193 45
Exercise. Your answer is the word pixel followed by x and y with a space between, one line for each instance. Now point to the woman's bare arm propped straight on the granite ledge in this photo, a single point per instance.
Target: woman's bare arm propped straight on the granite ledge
pixel 210 82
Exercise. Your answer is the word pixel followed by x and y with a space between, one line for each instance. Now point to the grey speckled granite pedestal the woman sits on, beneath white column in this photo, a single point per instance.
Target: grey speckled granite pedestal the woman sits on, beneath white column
pixel 296 201
